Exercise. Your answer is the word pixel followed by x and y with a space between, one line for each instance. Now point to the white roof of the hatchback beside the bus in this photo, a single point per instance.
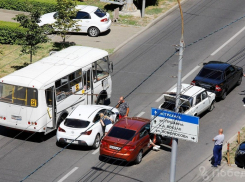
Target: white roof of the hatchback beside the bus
pixel 85 111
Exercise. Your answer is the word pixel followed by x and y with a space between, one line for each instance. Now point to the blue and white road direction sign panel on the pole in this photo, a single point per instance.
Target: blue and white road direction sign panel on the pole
pixel 176 125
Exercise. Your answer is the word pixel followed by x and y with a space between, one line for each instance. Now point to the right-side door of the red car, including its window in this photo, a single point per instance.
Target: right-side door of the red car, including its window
pixel 144 137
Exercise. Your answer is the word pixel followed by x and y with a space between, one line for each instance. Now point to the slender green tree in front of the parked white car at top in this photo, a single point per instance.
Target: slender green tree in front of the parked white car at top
pixel 64 22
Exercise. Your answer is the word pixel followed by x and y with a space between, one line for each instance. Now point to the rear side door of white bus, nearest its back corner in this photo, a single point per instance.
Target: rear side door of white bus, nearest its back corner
pixel 51 107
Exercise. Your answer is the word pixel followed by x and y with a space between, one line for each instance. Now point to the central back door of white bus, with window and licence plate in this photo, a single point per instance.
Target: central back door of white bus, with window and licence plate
pixel 17 110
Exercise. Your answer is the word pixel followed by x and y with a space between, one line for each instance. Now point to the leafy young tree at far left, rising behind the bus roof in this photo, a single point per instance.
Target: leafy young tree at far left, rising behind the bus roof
pixel 34 34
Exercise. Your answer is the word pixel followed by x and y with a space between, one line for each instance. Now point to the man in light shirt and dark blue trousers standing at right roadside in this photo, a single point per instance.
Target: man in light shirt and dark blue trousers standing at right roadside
pixel 217 151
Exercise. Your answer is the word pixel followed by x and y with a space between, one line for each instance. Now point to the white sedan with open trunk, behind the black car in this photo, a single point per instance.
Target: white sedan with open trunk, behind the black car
pixel 194 100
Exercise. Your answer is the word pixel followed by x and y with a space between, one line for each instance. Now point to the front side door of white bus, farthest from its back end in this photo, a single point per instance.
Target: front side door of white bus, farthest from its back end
pixel 88 86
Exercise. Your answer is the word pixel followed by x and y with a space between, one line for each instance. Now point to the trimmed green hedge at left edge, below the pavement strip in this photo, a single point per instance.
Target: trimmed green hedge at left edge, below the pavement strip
pixel 10 32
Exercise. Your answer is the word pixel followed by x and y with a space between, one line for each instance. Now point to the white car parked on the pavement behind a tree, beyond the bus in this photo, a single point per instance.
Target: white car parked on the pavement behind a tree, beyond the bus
pixel 90 19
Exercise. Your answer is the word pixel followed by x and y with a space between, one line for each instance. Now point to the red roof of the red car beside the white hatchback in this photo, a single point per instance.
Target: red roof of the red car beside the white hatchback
pixel 132 123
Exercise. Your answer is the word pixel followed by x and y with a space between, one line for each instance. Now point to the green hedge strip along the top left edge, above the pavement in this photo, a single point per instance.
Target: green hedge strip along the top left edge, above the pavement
pixel 22 5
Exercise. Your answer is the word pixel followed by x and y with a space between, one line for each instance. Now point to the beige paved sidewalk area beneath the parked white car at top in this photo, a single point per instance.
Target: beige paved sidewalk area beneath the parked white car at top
pixel 112 39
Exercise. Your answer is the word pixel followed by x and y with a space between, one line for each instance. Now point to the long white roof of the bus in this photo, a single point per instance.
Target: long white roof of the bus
pixel 51 68
